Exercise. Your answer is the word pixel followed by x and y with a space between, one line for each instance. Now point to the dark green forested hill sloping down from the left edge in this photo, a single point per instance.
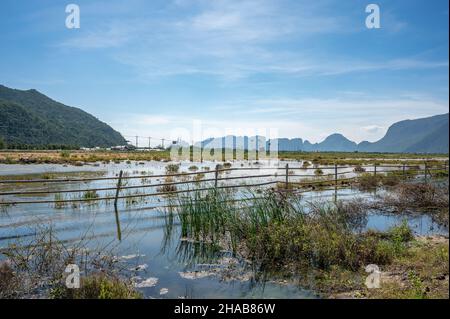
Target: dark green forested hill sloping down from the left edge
pixel 31 118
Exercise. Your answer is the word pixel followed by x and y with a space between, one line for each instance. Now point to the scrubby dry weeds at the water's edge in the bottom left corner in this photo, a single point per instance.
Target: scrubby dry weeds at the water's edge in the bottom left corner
pixel 36 269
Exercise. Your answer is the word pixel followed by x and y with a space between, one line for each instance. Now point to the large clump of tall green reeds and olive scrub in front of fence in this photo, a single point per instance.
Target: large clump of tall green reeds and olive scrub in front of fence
pixel 275 230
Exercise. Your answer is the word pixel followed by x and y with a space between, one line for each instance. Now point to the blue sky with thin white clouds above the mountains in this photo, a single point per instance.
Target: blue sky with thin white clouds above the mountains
pixel 306 68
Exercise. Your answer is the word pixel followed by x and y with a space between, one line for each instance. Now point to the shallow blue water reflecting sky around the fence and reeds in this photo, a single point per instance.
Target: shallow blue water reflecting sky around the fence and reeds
pixel 161 264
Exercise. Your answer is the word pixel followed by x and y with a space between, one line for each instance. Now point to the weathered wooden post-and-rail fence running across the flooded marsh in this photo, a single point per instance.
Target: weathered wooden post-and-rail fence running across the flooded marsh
pixel 287 175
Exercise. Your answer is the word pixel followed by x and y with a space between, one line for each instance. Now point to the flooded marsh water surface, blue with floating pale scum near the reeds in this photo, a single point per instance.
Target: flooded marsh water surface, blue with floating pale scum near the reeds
pixel 163 266
